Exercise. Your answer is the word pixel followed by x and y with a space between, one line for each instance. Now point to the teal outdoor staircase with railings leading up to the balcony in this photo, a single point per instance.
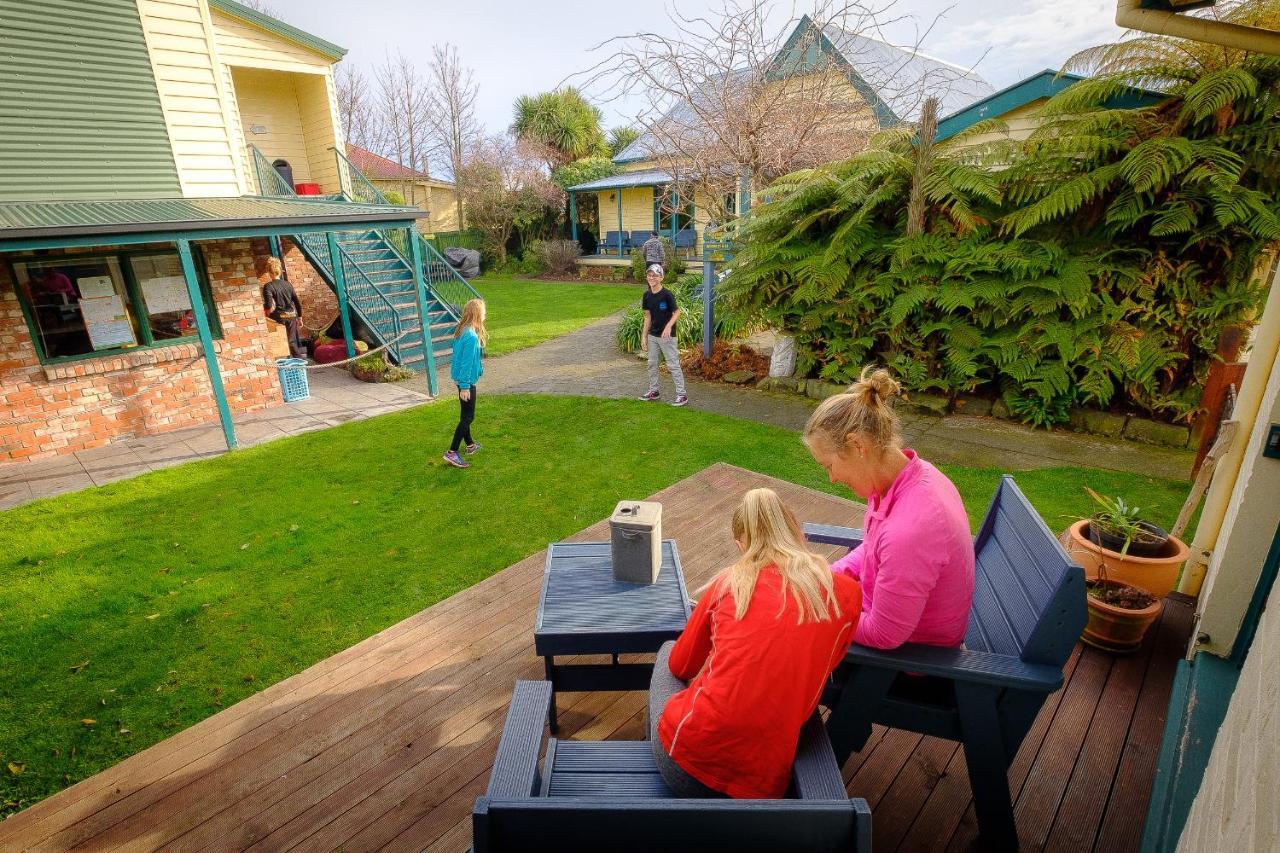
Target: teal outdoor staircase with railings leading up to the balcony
pixel 378 276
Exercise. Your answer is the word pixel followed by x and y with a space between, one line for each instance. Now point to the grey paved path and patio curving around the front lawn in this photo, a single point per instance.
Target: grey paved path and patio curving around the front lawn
pixel 583 363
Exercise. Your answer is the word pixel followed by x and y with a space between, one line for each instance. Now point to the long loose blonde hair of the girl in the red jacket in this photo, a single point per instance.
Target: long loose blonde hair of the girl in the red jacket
pixel 771 536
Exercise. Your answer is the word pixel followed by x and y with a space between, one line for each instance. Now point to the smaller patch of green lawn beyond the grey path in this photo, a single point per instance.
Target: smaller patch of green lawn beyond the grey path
pixel 523 312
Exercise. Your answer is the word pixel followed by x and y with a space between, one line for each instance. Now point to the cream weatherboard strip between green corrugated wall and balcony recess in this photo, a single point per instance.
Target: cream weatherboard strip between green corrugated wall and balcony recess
pixel 193 95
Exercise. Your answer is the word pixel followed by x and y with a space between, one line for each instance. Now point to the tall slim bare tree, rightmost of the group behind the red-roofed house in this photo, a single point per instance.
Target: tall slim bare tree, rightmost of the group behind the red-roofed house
pixel 451 115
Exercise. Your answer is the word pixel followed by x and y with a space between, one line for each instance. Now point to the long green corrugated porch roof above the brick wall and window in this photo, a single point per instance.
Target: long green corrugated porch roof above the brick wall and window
pixel 49 225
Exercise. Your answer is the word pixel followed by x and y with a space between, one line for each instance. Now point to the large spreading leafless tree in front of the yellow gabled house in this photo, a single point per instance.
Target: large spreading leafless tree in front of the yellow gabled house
pixel 728 99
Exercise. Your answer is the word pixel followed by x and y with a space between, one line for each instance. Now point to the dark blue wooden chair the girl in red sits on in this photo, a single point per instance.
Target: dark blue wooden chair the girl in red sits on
pixel 609 796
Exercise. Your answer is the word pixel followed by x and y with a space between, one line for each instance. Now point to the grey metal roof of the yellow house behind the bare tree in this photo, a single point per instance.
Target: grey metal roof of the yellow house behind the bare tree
pixel 894 81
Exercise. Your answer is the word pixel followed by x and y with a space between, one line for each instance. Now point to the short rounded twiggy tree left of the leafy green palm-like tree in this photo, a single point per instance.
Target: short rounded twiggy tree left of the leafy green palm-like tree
pixel 506 189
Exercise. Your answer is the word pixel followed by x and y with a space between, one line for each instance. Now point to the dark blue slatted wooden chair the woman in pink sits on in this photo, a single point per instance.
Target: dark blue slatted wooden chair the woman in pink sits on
pixel 1028 612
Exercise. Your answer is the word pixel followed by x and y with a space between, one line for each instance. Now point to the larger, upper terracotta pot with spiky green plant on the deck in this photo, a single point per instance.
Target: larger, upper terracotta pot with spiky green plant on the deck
pixel 1136 553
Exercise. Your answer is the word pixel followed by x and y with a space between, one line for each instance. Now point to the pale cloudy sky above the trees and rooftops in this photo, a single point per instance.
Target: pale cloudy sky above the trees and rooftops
pixel 528 48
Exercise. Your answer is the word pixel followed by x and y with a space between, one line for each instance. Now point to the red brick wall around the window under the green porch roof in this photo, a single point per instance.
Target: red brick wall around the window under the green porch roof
pixel 71 407
